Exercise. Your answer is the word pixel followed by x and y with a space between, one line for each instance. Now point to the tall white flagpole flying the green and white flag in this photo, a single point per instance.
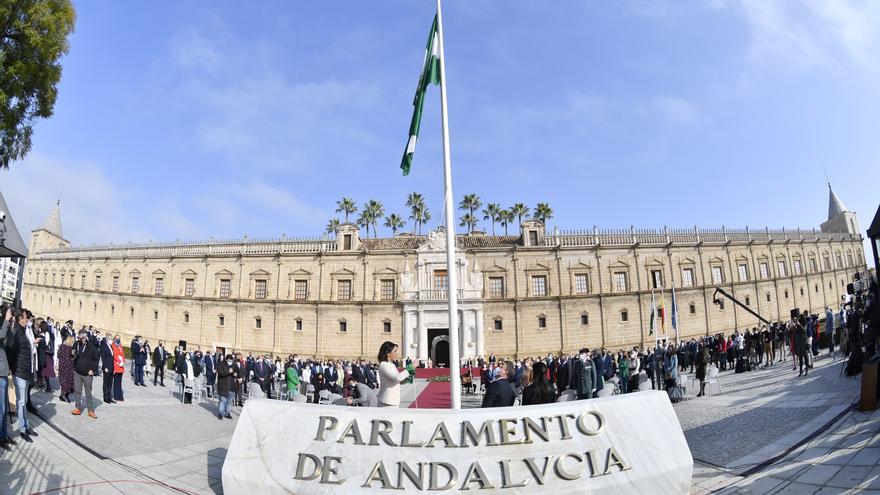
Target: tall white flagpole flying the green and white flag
pixel 451 268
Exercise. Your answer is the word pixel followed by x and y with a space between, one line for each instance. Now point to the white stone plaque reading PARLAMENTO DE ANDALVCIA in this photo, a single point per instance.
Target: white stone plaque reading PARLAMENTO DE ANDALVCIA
pixel 625 444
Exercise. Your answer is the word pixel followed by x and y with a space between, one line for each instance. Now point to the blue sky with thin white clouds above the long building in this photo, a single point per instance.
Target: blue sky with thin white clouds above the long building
pixel 196 120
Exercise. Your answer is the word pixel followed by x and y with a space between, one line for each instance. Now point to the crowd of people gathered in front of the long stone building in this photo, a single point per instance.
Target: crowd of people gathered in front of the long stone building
pixel 39 350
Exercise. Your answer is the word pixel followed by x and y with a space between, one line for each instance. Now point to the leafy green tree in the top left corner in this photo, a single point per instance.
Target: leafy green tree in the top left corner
pixel 32 41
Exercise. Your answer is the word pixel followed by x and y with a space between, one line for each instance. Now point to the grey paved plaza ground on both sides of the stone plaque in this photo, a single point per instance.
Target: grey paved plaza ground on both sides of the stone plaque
pixel 152 443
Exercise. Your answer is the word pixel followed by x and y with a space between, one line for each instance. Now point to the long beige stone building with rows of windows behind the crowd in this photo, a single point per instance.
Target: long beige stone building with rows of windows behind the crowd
pixel 530 294
